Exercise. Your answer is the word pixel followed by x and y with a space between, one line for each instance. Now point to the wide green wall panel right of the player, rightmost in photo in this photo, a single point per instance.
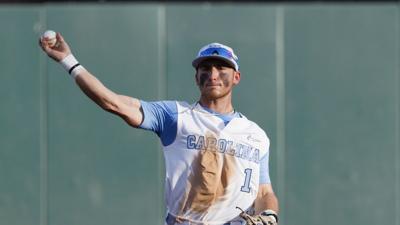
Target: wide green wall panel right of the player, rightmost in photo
pixel 342 101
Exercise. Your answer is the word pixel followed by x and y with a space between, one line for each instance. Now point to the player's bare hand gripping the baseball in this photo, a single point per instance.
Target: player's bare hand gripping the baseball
pixel 59 51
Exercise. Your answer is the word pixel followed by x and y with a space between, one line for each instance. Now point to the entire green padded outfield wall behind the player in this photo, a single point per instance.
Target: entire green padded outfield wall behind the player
pixel 322 78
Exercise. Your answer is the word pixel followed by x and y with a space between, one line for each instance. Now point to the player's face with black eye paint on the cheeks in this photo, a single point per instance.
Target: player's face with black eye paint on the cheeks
pixel 216 78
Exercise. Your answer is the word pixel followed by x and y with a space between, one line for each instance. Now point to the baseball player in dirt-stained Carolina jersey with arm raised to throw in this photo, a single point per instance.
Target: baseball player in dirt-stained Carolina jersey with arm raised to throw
pixel 216 159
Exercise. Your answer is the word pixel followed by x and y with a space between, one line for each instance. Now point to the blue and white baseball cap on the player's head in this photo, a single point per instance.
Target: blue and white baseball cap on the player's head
pixel 217 51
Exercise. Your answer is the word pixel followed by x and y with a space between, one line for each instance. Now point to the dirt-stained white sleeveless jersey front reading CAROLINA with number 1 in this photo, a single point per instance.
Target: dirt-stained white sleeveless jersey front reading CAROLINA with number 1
pixel 212 168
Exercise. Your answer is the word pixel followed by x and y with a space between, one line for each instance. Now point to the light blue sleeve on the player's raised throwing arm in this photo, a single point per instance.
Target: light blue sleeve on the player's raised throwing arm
pixel 161 118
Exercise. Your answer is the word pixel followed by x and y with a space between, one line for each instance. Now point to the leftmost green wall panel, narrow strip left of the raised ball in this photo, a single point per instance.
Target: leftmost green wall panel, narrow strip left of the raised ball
pixel 20 116
